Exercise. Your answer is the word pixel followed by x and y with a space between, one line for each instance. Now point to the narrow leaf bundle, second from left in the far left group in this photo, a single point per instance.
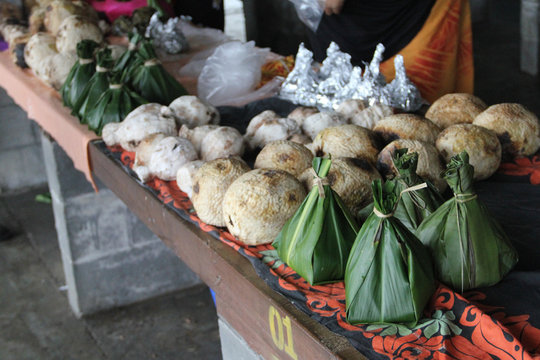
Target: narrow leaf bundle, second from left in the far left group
pixel 96 86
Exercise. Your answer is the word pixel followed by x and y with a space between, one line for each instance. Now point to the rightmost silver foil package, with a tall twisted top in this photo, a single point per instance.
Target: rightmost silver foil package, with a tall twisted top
pixel 402 92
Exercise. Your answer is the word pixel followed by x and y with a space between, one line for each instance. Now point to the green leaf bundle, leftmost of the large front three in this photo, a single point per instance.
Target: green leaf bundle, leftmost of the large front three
pixel 316 241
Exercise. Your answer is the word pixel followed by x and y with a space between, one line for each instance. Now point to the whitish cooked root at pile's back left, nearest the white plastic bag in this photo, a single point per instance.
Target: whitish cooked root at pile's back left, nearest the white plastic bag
pixel 192 111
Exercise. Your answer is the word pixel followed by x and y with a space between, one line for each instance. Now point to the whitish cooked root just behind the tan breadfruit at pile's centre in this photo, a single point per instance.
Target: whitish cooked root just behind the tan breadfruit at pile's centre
pixel 272 130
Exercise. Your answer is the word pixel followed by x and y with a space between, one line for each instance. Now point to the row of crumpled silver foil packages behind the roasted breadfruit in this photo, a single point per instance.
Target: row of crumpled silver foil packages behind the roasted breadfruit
pixel 336 81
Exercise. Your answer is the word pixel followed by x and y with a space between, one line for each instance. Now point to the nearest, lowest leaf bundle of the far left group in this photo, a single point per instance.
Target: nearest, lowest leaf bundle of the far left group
pixel 113 105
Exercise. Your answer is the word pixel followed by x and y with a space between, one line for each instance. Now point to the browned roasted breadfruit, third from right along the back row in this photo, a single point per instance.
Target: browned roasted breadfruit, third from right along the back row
pixel 406 126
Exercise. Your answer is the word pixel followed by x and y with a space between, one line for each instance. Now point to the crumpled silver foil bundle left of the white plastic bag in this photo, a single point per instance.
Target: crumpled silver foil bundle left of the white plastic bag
pixel 167 36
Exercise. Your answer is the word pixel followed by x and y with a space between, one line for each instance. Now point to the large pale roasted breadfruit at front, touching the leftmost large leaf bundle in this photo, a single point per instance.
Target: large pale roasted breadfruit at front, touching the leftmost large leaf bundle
pixel 258 203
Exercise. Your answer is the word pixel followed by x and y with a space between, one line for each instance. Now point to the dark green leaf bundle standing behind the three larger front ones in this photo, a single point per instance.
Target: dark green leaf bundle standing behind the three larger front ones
pixel 414 206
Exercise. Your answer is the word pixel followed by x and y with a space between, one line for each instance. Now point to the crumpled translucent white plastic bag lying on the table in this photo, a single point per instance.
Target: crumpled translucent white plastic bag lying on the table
pixel 233 70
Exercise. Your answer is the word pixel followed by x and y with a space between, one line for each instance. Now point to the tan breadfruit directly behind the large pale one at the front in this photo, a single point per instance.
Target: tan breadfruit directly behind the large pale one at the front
pixel 284 155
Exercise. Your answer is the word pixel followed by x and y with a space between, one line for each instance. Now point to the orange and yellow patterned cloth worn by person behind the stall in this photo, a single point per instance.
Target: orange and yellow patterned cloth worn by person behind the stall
pixel 439 59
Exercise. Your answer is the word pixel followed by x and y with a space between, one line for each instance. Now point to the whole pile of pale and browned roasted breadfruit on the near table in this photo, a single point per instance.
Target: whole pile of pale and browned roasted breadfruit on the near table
pixel 184 142
